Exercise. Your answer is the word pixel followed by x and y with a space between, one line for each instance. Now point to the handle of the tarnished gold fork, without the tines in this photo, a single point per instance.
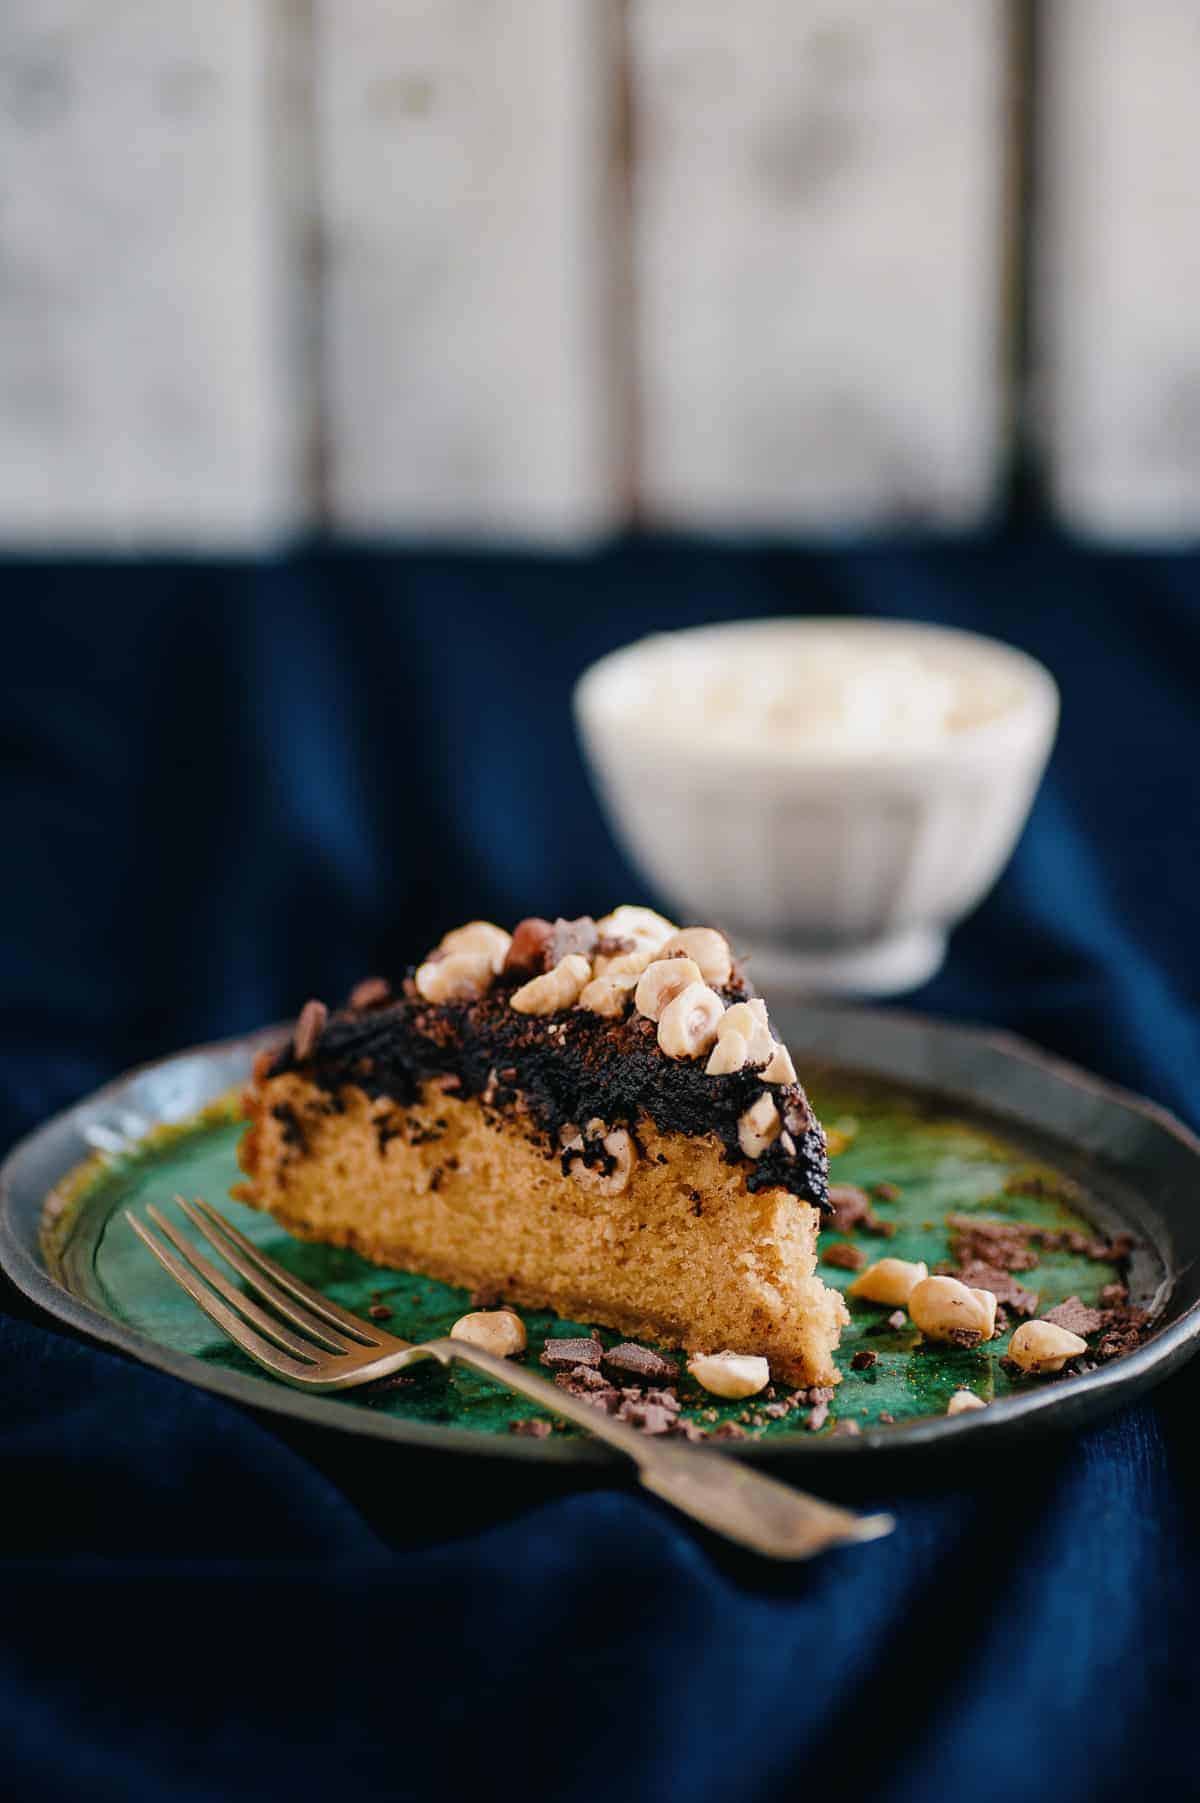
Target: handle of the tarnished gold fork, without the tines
pixel 722 1494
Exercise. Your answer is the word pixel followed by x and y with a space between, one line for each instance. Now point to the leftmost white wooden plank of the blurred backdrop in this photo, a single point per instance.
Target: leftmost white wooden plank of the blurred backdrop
pixel 147 383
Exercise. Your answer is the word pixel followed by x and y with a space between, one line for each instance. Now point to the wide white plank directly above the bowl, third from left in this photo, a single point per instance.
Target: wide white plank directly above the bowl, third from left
pixel 819 205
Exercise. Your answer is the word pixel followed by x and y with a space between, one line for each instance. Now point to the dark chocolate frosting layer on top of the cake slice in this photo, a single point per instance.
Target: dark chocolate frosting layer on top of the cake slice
pixel 572 1066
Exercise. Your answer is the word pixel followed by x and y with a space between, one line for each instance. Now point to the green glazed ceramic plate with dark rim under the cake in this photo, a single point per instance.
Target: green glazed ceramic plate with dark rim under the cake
pixel 954 1121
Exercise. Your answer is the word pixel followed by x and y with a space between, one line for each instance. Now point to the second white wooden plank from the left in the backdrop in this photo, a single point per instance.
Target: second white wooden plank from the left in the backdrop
pixel 469 208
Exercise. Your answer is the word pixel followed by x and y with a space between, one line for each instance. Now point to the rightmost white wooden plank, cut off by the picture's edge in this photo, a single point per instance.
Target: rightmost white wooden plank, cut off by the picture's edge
pixel 1118 291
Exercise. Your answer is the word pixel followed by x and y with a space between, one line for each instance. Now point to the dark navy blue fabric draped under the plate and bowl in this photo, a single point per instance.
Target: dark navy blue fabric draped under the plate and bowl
pixel 228 789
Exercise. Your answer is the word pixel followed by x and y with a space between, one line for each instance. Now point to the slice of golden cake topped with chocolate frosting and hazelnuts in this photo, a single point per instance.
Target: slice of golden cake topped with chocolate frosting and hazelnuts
pixel 588 1117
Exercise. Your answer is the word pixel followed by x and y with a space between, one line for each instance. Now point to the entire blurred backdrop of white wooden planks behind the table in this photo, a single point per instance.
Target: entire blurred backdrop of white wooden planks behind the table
pixel 534 270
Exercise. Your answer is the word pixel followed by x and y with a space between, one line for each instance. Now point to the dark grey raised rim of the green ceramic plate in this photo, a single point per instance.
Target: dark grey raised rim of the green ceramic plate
pixel 1134 1371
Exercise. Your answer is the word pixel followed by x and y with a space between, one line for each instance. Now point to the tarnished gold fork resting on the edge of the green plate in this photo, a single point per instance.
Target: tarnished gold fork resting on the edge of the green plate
pixel 336 1350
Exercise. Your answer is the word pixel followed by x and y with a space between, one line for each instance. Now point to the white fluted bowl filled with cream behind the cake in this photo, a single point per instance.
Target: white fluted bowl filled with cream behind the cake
pixel 835 792
